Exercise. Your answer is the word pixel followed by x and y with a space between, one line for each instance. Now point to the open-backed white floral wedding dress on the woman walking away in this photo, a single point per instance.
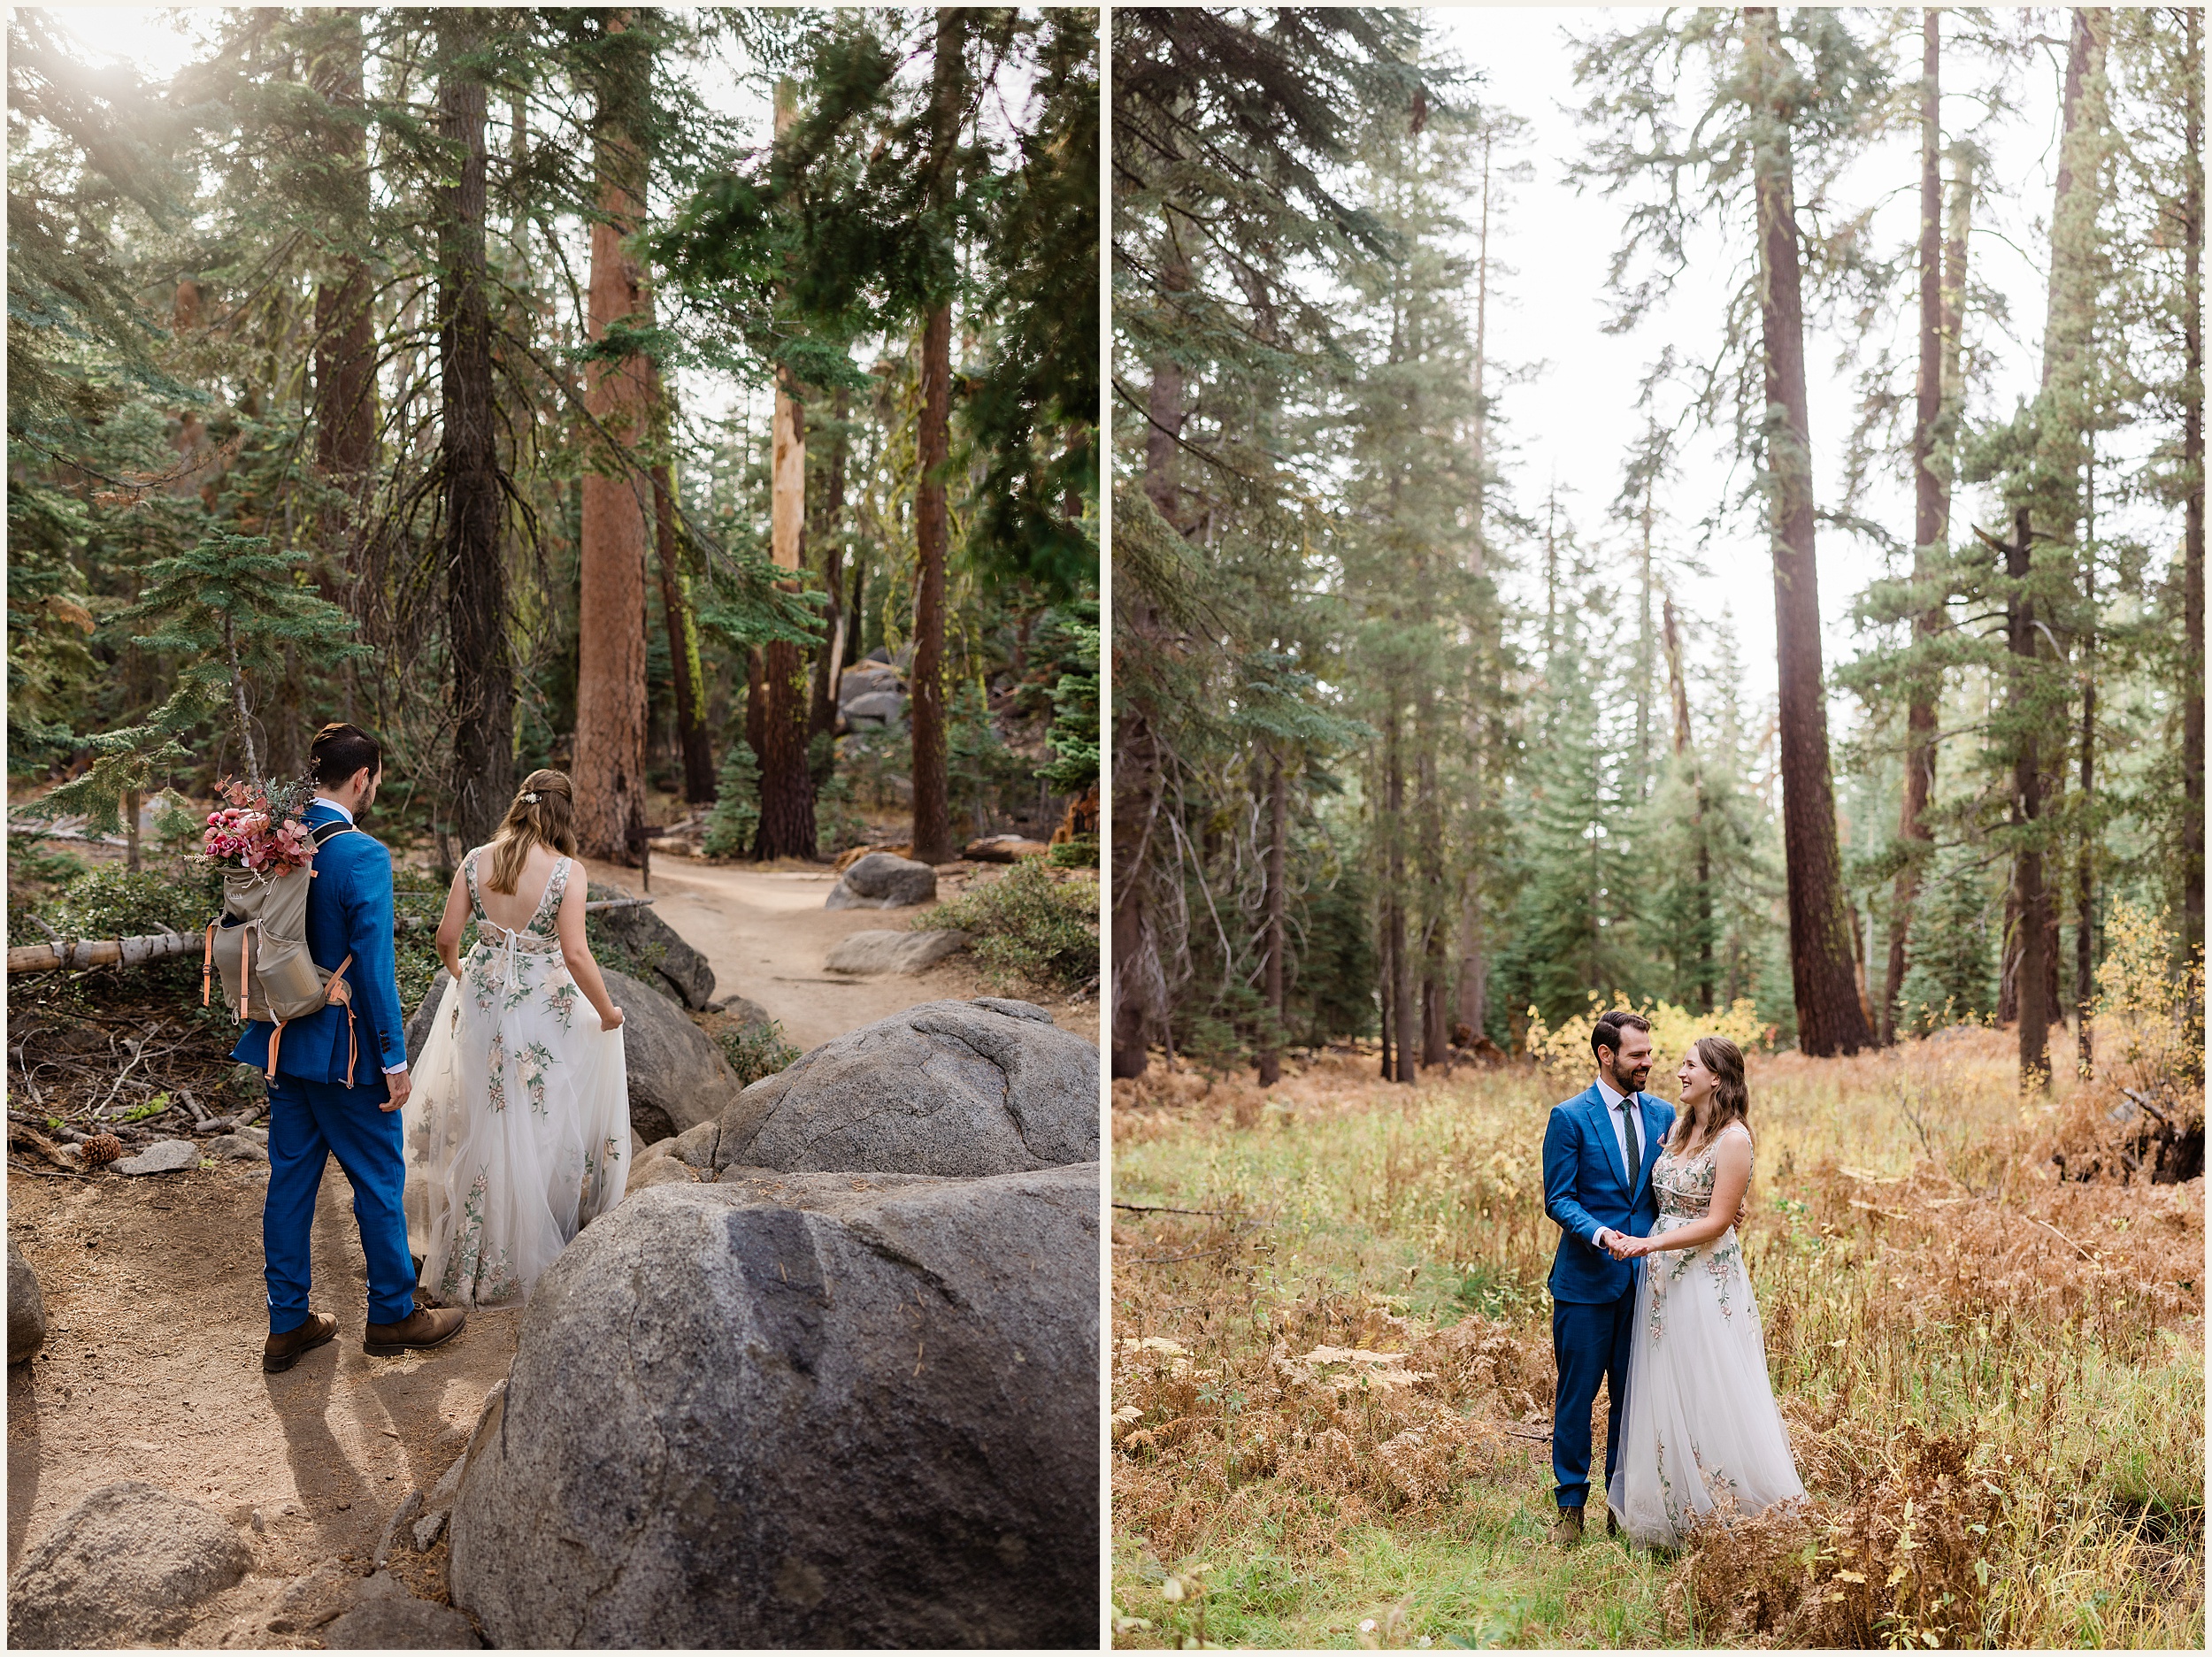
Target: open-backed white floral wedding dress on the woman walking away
pixel 519 1127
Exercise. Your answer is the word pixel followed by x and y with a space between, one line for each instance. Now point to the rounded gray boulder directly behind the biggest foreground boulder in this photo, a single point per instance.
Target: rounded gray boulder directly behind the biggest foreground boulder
pixel 939 1090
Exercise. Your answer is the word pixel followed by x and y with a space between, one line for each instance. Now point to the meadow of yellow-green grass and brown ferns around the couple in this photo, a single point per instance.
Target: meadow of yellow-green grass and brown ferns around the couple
pixel 1333 1368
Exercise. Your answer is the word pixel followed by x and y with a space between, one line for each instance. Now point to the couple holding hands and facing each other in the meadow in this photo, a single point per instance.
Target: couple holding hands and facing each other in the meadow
pixel 1651 1295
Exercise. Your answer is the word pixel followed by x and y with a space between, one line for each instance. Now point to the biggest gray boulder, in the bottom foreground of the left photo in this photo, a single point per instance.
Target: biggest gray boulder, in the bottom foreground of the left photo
pixel 802 1410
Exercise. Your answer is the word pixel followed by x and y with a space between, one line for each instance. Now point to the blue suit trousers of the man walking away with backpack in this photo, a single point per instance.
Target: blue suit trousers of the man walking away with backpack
pixel 309 1125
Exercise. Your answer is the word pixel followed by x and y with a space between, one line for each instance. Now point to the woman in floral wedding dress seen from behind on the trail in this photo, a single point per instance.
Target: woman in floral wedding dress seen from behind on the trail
pixel 519 1125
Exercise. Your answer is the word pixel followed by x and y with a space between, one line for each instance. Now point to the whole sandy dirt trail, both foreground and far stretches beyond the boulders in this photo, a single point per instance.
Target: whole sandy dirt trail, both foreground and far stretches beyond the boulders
pixel 156 1300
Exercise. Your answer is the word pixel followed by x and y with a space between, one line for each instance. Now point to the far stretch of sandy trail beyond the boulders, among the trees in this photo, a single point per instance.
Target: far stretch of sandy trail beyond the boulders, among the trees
pixel 766 937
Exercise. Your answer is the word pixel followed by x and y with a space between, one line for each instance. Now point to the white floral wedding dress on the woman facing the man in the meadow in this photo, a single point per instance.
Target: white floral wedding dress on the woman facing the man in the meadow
pixel 1702 1430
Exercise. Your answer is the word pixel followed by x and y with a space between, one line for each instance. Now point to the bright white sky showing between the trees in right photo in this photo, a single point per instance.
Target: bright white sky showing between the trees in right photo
pixel 1578 419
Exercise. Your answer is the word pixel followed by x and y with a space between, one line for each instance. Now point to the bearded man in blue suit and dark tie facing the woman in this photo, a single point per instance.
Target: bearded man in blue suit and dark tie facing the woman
pixel 1598 1158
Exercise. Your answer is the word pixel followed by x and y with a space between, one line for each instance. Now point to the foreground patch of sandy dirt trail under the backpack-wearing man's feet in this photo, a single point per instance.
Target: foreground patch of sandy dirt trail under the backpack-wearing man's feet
pixel 152 1371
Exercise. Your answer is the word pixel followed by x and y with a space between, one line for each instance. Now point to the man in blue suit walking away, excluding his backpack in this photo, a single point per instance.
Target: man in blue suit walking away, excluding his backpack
pixel 340 1078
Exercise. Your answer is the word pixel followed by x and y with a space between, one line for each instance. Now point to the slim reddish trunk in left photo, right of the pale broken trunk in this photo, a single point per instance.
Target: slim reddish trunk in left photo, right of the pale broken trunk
pixel 932 804
